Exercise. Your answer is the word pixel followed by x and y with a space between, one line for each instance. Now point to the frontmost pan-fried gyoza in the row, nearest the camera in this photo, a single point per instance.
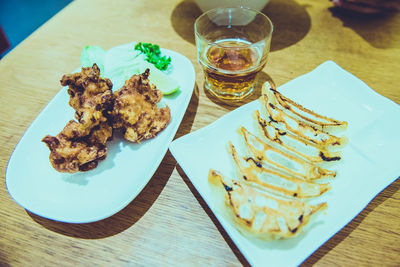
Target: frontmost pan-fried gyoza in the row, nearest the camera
pixel 258 213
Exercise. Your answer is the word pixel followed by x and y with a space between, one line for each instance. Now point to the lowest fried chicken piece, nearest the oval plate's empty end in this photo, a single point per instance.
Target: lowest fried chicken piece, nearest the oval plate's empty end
pixel 70 152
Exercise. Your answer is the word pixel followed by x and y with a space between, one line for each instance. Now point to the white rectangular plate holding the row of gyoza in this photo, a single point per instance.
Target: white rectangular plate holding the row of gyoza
pixel 370 160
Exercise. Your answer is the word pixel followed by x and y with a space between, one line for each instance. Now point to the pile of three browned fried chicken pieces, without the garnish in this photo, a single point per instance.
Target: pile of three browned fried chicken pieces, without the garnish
pixel 132 109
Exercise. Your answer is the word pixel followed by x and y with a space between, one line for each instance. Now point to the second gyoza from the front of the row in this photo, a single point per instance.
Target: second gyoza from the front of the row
pixel 273 180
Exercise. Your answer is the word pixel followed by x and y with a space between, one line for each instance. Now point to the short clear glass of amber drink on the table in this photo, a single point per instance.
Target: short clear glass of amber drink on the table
pixel 232 46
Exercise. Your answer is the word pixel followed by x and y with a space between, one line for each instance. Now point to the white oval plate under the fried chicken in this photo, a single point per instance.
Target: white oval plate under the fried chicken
pixel 102 192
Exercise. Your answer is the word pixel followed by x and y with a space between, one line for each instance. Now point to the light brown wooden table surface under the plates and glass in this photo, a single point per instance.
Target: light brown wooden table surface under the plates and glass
pixel 169 223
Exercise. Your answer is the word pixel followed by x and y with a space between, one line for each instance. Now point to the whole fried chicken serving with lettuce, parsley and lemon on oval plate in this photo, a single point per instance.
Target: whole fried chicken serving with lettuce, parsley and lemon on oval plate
pixel 133 108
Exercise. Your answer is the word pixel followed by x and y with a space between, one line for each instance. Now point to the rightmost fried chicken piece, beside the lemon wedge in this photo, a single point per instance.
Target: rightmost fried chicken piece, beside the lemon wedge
pixel 135 109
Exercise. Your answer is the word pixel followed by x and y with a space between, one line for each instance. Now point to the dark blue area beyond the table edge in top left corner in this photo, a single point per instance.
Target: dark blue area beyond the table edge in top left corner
pixel 19 18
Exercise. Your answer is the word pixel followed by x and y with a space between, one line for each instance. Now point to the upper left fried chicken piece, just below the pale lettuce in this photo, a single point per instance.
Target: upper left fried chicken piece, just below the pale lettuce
pixel 91 96
